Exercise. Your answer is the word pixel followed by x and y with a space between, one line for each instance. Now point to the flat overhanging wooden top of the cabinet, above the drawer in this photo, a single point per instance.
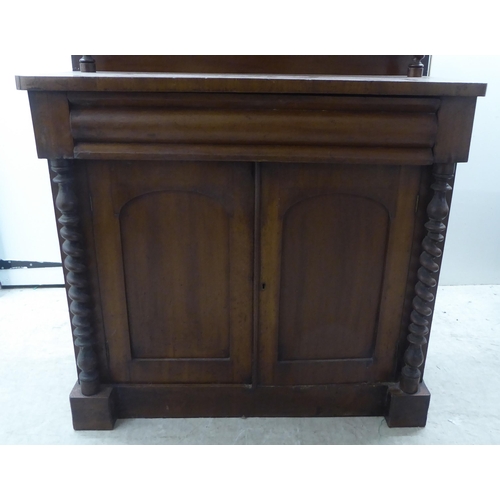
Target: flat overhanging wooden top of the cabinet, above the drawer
pixel 248 83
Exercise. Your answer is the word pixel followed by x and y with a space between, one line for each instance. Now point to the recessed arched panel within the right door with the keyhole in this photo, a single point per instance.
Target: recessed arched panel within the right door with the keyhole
pixel 331 277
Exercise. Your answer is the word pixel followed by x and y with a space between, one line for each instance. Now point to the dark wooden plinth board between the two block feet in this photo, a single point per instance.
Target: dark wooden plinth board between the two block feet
pixel 163 401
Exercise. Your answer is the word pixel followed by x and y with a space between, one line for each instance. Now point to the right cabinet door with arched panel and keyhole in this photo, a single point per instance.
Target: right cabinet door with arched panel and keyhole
pixel 335 248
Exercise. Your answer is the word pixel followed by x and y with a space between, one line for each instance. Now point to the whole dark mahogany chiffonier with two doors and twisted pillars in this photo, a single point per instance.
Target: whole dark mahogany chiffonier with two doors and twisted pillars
pixel 250 235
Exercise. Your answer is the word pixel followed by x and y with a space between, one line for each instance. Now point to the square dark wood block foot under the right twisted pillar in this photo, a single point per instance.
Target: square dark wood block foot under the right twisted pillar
pixel 407 410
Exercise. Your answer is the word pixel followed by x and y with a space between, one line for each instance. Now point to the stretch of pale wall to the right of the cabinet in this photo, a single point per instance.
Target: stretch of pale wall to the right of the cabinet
pixel 472 252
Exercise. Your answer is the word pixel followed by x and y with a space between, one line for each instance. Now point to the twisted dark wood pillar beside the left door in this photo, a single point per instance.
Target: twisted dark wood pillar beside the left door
pixel 66 203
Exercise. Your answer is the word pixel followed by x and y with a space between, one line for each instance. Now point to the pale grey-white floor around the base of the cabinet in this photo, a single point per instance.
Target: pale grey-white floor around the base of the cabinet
pixel 37 373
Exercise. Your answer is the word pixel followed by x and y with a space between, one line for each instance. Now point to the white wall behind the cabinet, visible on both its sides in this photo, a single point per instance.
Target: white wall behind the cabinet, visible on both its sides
pixel 27 225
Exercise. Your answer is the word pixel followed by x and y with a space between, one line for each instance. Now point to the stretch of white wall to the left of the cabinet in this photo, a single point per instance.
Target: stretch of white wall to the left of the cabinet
pixel 27 223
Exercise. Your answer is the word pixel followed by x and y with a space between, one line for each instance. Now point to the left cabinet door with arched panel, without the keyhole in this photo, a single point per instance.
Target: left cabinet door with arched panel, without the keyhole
pixel 174 245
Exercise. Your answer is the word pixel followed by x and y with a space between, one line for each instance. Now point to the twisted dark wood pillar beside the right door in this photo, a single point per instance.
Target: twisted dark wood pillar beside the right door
pixel 423 303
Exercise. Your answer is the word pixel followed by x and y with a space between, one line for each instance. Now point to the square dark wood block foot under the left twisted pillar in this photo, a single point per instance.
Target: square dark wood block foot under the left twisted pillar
pixel 95 412
